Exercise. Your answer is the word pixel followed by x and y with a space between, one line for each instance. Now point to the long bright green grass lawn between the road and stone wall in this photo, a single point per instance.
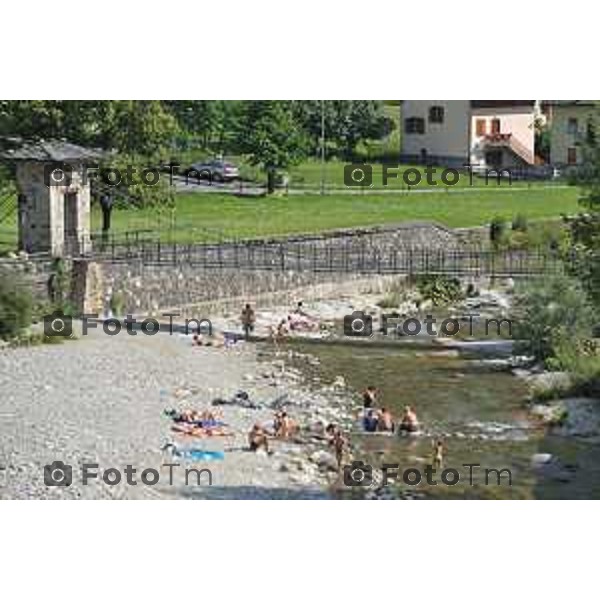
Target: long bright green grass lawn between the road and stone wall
pixel 208 216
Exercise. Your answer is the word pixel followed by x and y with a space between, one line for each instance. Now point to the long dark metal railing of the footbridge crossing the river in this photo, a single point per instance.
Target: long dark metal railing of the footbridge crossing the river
pixel 357 258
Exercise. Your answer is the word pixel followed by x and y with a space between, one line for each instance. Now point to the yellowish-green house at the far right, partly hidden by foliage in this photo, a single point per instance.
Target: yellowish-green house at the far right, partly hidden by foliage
pixel 571 124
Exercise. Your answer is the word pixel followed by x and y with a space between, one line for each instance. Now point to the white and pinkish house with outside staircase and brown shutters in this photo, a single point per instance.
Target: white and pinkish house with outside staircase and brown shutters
pixel 483 133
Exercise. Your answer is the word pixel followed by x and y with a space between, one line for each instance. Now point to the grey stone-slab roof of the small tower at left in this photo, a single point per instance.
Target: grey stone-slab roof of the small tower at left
pixel 17 149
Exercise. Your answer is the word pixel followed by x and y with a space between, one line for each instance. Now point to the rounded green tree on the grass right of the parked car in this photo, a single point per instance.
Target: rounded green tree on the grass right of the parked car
pixel 271 137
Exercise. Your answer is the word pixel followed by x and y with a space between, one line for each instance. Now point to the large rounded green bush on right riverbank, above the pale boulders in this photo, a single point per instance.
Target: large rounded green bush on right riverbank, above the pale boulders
pixel 546 315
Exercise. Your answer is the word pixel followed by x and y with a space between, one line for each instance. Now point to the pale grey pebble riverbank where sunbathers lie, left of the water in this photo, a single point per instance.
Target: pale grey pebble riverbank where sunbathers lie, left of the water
pixel 101 399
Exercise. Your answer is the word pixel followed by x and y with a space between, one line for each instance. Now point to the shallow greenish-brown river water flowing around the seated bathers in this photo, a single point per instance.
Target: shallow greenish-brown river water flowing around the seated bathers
pixel 479 413
